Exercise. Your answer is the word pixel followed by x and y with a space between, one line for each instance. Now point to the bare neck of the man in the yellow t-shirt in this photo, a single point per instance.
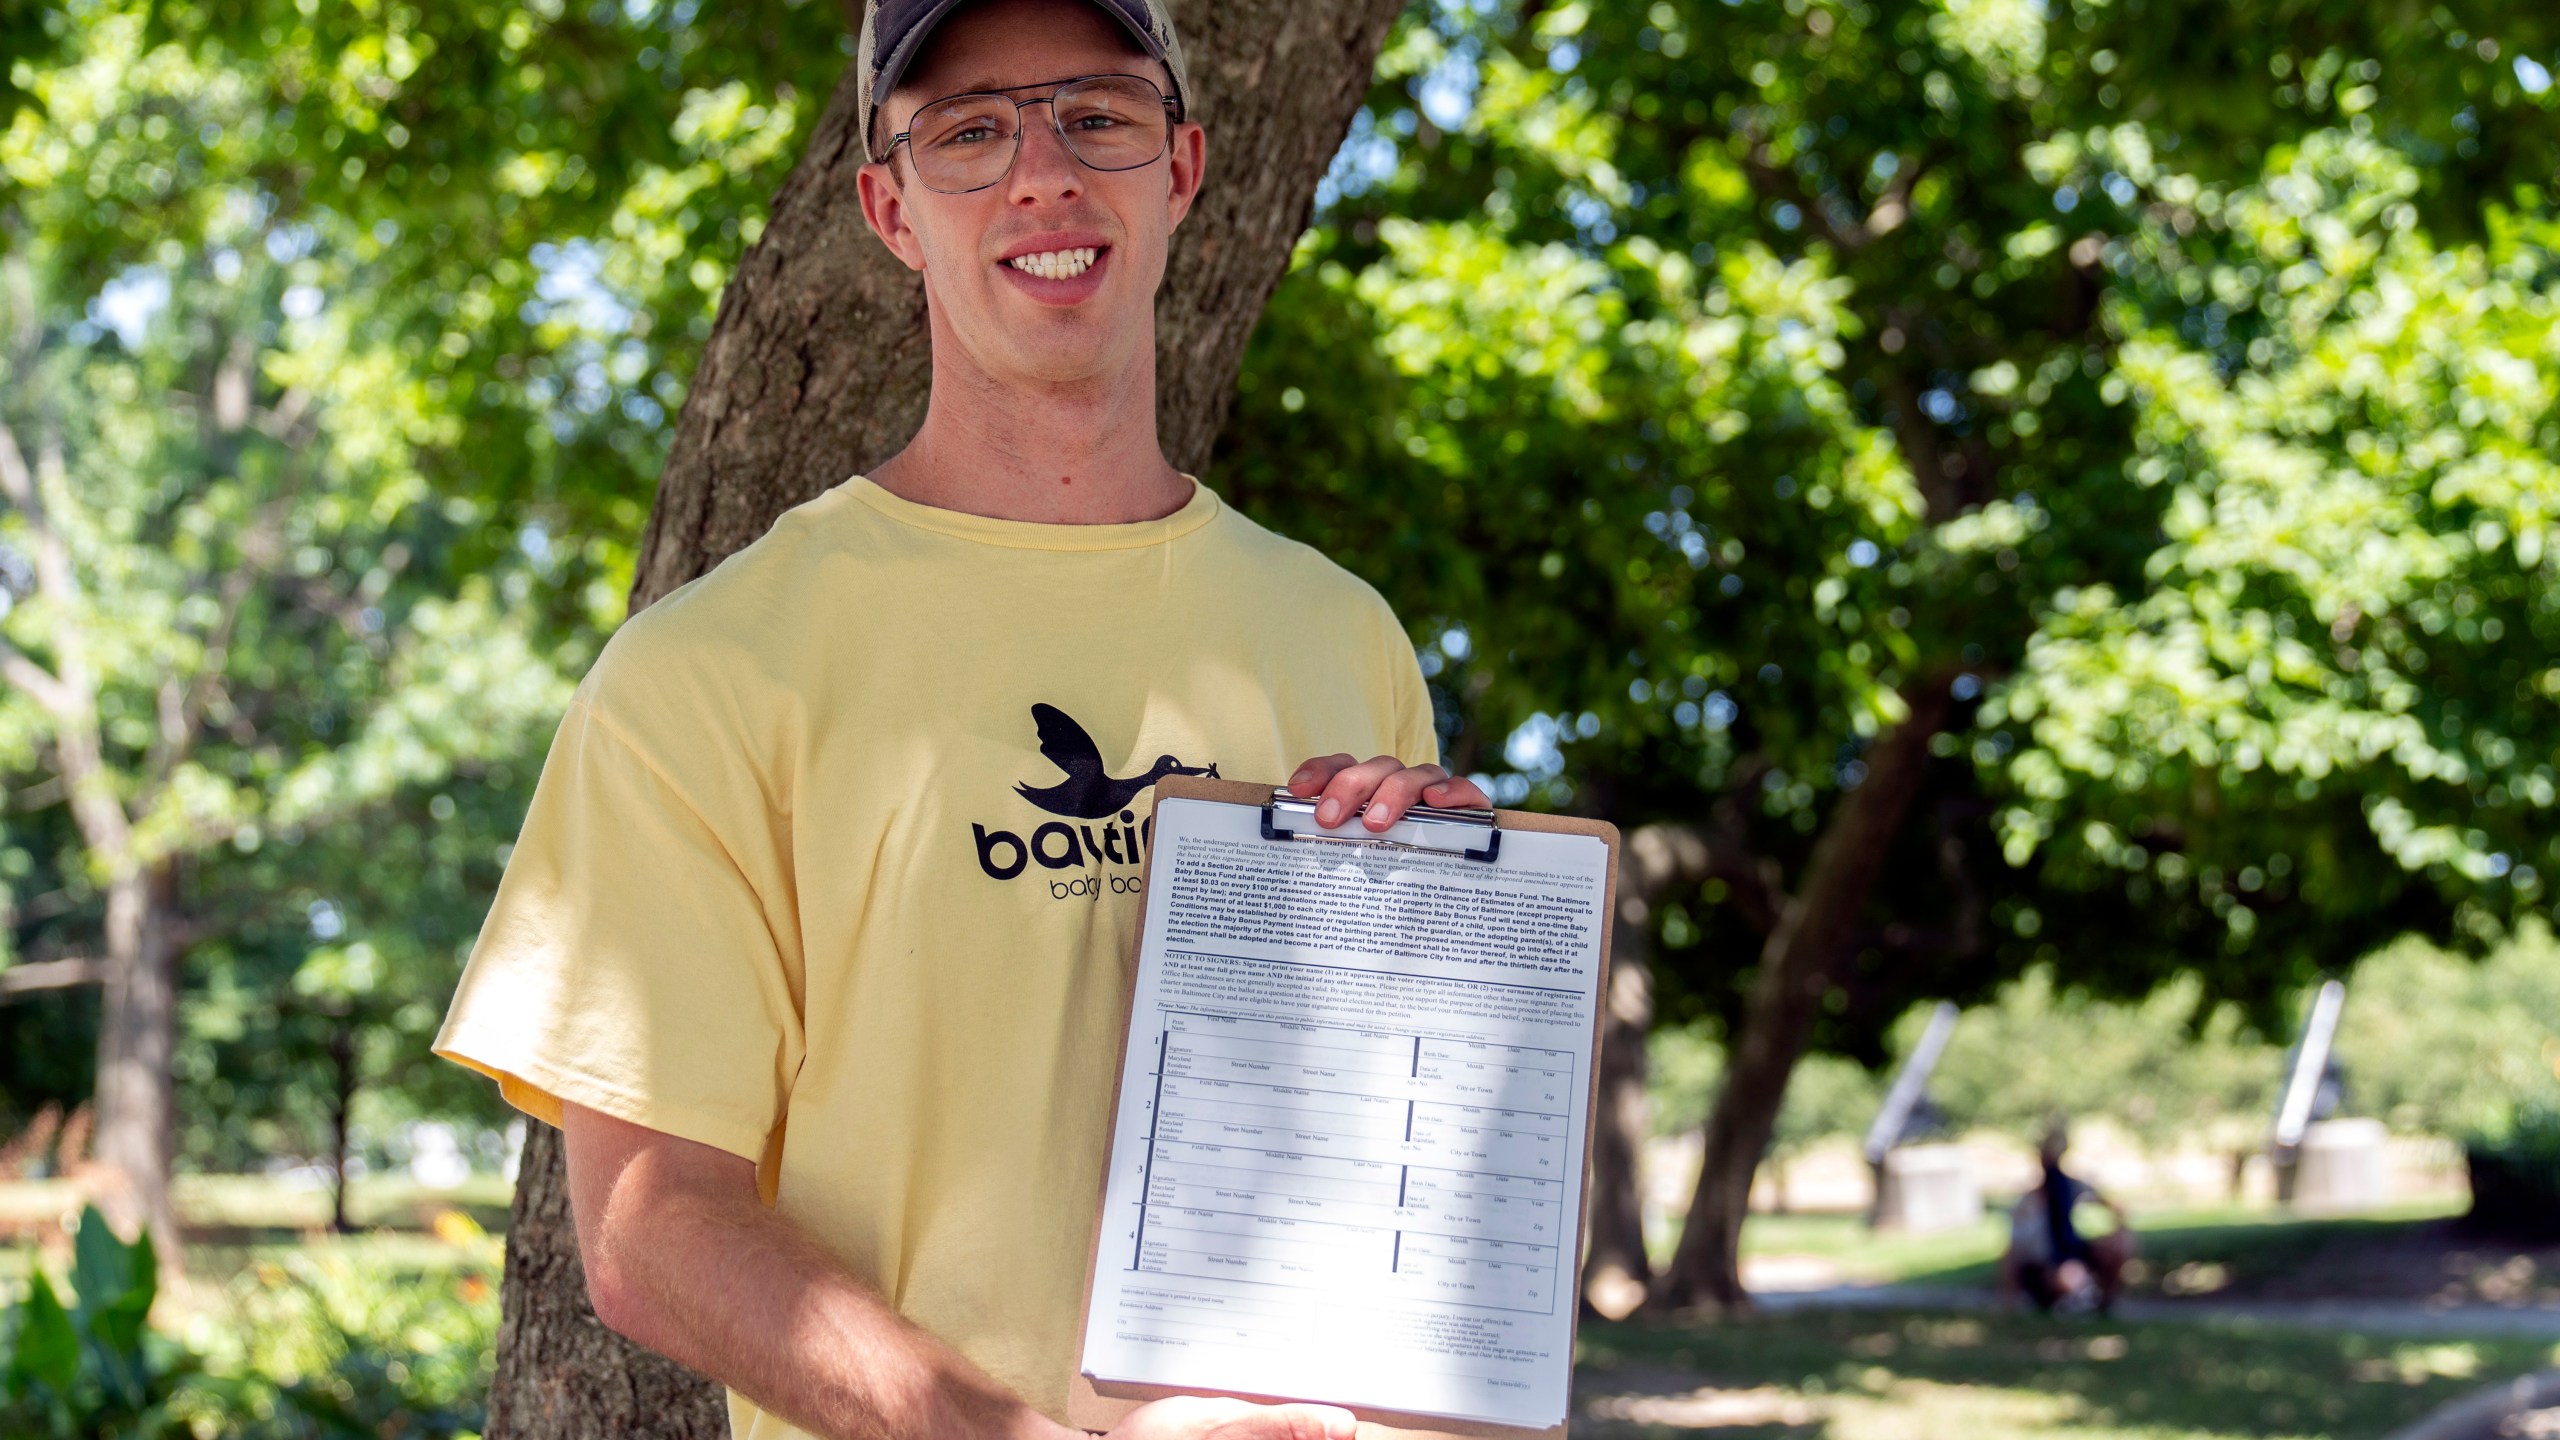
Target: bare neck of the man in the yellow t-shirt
pixel 1056 455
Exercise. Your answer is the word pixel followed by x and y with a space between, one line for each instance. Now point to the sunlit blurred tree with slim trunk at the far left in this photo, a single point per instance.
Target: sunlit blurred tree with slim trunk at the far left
pixel 239 619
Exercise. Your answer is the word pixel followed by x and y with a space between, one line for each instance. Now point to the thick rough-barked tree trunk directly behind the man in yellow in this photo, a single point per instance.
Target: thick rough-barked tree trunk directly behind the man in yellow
pixel 818 368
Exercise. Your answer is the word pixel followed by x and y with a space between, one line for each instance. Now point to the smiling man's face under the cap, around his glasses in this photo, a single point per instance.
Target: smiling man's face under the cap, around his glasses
pixel 1018 324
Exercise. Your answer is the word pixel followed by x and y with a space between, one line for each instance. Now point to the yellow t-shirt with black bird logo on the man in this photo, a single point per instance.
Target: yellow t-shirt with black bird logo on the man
pixel 836 860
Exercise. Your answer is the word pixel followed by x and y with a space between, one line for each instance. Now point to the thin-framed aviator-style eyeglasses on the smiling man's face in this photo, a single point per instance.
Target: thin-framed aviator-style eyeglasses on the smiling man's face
pixel 969 142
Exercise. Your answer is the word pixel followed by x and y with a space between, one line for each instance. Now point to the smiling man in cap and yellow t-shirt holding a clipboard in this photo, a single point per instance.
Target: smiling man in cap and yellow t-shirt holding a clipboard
pixel 815 937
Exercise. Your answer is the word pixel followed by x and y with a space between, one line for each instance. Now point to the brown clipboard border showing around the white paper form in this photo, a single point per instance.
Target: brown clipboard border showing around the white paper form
pixel 1102 1405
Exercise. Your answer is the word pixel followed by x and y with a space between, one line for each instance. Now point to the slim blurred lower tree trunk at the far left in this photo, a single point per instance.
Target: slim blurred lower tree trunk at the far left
pixel 137 1044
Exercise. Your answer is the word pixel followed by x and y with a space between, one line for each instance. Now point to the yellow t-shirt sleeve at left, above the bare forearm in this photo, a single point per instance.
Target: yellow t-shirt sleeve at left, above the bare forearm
pixel 639 957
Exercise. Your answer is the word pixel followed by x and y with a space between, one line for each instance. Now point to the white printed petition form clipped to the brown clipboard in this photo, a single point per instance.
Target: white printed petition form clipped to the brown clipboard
pixel 1348 1154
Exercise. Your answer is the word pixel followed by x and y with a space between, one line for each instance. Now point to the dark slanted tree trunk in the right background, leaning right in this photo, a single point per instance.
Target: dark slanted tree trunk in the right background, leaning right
pixel 1806 952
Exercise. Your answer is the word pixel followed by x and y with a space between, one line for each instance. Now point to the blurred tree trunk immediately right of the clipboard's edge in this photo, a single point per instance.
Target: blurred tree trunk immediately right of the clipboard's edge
pixel 1617 1272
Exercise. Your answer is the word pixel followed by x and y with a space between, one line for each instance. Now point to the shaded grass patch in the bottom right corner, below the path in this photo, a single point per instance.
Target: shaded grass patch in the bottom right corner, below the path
pixel 1996 1377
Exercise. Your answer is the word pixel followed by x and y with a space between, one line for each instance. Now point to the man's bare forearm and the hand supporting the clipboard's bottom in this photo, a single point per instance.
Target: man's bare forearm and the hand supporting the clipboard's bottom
pixel 682 1257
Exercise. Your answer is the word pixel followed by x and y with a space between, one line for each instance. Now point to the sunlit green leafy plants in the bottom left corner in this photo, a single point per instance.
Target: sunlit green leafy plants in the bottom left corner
pixel 311 1346
